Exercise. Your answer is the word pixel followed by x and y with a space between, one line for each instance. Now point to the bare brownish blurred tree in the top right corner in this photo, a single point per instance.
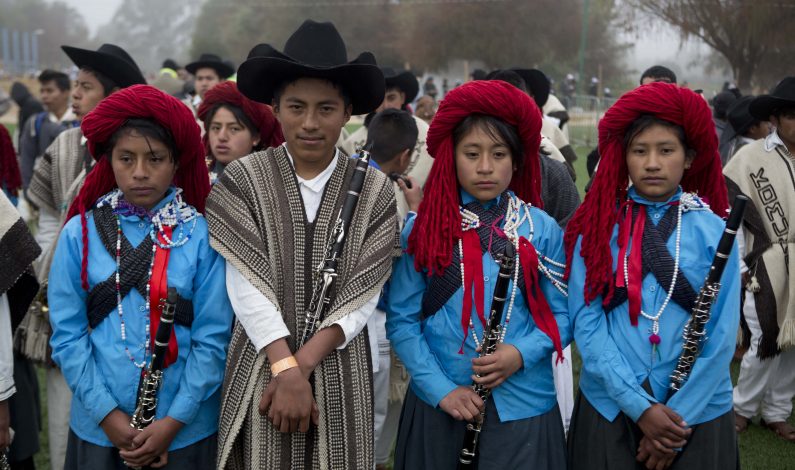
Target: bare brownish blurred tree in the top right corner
pixel 752 35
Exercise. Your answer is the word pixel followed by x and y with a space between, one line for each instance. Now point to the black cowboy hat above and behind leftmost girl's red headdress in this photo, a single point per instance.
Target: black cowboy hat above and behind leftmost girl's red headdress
pixel 111 61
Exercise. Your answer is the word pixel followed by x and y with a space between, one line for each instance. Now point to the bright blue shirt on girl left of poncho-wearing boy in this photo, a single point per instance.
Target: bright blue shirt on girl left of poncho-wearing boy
pixel 94 362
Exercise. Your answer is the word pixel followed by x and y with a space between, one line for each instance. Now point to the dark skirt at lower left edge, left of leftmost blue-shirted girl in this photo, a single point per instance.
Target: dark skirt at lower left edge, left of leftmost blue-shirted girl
pixel 25 410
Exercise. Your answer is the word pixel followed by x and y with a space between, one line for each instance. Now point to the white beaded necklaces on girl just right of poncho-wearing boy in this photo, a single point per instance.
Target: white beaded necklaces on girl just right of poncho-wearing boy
pixel 514 218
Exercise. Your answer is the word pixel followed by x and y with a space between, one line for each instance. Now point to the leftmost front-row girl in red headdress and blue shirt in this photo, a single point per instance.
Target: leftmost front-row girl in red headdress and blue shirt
pixel 132 234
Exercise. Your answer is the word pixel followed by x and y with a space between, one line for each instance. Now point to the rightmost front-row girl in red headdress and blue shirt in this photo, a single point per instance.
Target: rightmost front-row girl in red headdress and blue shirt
pixel 637 257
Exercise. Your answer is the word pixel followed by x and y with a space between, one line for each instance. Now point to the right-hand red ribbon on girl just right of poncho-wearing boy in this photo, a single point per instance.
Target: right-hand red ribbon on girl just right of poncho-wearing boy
pixel 539 308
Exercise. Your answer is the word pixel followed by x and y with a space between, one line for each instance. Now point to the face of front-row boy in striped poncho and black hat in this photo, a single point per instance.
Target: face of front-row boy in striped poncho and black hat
pixel 312 113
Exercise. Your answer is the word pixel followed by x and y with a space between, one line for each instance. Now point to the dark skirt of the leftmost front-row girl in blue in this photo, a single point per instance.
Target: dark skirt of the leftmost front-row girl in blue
pixel 81 454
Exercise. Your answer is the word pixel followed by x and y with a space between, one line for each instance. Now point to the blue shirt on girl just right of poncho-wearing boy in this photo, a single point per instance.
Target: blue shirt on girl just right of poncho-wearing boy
pixel 429 348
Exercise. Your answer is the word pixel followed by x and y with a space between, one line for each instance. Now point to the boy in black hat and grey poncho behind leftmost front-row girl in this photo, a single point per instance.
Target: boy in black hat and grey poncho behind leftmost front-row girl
pixel 57 178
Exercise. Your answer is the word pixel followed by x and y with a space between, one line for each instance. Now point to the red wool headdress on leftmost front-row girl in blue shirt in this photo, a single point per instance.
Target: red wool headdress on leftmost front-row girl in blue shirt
pixel 143 101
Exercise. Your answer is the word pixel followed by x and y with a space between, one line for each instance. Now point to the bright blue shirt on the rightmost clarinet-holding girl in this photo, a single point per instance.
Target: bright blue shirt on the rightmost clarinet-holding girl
pixel 617 357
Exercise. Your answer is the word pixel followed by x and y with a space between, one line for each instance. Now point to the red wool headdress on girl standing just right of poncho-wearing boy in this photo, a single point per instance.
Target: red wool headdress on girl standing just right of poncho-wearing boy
pixel 438 223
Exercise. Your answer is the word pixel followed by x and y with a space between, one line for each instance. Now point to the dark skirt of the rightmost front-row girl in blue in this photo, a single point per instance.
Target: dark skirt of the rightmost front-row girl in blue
pixel 598 444
